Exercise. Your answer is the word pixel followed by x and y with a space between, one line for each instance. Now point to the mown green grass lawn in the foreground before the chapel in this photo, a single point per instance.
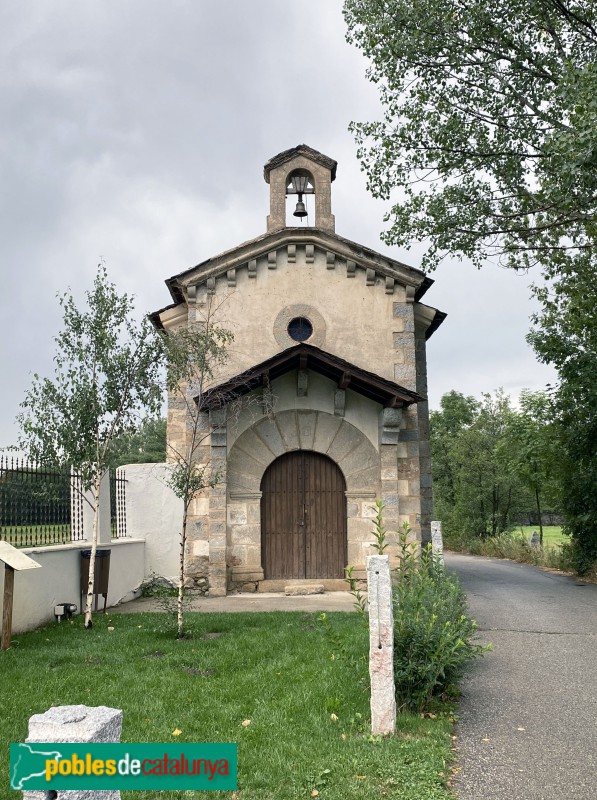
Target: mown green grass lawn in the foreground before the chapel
pixel 281 671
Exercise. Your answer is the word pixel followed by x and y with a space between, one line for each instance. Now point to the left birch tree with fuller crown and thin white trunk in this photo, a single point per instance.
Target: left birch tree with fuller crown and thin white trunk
pixel 107 372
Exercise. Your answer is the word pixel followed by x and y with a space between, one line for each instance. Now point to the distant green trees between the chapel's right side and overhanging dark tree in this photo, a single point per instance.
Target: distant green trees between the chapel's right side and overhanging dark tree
pixel 494 464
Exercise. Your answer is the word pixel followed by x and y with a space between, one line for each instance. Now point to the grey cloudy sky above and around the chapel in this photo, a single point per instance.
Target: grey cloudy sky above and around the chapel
pixel 135 131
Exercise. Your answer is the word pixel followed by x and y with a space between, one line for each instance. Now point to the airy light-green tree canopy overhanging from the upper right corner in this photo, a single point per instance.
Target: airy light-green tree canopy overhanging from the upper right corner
pixel 488 144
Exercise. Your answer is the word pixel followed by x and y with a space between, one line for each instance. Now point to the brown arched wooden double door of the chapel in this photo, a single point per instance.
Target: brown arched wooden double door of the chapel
pixel 303 517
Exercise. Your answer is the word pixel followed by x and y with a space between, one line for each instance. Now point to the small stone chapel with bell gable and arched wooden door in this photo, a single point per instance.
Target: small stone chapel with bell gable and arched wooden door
pixel 321 406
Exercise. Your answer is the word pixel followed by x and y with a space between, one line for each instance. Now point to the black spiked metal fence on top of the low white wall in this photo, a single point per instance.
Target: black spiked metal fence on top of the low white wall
pixel 44 506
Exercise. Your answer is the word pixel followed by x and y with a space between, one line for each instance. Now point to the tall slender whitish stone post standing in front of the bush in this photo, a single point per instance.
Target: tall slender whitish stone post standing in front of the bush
pixel 381 646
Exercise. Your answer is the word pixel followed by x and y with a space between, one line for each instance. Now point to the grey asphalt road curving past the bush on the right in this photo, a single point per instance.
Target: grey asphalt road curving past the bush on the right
pixel 528 715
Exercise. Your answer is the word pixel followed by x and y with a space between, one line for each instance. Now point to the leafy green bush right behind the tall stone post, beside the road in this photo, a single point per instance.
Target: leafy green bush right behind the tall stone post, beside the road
pixel 433 635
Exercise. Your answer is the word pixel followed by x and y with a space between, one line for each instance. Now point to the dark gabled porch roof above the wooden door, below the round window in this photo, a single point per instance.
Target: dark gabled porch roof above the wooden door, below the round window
pixel 305 356
